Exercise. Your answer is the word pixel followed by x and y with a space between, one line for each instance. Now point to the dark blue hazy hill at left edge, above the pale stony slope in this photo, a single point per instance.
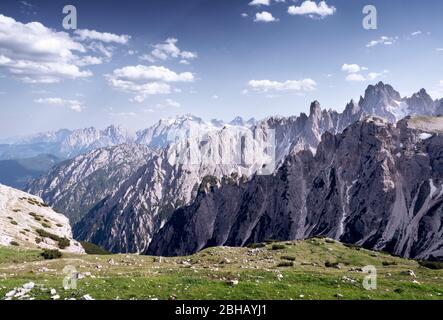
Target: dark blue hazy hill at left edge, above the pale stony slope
pixel 18 173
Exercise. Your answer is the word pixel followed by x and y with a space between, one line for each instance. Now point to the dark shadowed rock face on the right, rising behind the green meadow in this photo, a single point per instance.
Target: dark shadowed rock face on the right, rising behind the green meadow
pixel 376 185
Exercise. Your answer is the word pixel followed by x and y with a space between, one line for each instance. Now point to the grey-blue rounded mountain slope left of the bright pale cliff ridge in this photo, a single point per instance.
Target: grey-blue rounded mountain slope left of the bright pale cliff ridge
pixel 75 186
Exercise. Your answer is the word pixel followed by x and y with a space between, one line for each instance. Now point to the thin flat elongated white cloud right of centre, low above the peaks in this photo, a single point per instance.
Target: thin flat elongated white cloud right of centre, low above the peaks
pixel 289 85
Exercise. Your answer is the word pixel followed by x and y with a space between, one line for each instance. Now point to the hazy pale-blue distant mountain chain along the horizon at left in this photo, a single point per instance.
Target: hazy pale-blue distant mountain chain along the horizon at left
pixel 67 144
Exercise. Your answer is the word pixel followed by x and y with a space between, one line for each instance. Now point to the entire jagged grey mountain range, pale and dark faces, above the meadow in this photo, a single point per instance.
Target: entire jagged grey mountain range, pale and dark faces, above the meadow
pixel 152 205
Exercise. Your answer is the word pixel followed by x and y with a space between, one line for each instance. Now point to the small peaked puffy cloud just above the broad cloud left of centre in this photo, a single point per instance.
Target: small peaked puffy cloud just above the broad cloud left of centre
pixel 168 50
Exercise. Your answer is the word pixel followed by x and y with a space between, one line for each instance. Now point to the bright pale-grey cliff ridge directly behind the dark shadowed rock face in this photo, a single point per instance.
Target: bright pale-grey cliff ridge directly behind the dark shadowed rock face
pixel 126 220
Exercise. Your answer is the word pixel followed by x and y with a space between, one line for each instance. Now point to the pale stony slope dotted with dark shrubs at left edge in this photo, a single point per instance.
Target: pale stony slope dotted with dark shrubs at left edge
pixel 27 222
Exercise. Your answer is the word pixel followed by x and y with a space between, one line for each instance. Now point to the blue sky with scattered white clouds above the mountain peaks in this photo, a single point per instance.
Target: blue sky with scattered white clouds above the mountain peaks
pixel 134 62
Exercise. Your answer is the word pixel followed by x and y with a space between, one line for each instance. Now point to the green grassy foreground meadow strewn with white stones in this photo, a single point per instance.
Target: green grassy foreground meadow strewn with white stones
pixel 311 269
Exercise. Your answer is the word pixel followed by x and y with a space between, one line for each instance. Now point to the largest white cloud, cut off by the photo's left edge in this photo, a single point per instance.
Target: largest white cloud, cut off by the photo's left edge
pixel 34 53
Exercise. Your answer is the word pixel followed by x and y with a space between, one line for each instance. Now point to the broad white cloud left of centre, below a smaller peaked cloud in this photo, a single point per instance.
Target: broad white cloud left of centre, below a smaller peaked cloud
pixel 144 81
